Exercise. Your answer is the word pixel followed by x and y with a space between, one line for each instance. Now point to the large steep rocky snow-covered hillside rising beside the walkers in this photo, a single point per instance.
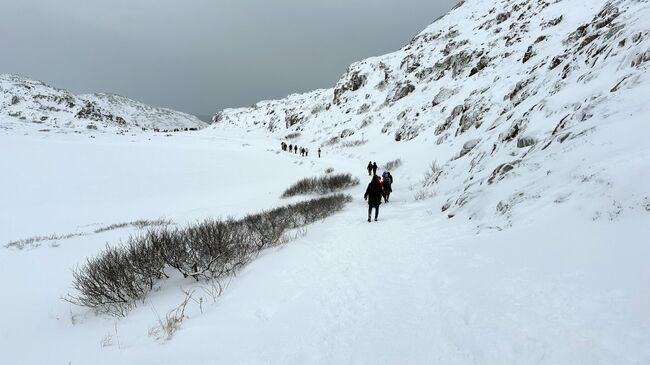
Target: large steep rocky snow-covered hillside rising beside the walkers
pixel 510 104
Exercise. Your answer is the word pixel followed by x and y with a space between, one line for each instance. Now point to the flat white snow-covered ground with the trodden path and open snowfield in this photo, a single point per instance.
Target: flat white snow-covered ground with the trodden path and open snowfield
pixel 415 287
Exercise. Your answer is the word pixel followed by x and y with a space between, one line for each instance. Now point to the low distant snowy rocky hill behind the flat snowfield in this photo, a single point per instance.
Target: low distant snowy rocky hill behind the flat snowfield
pixel 29 103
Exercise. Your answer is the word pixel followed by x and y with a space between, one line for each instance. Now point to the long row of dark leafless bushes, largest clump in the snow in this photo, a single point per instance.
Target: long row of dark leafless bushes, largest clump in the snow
pixel 119 276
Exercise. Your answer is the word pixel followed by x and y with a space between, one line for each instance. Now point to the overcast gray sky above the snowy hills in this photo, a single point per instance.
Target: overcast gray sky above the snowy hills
pixel 200 56
